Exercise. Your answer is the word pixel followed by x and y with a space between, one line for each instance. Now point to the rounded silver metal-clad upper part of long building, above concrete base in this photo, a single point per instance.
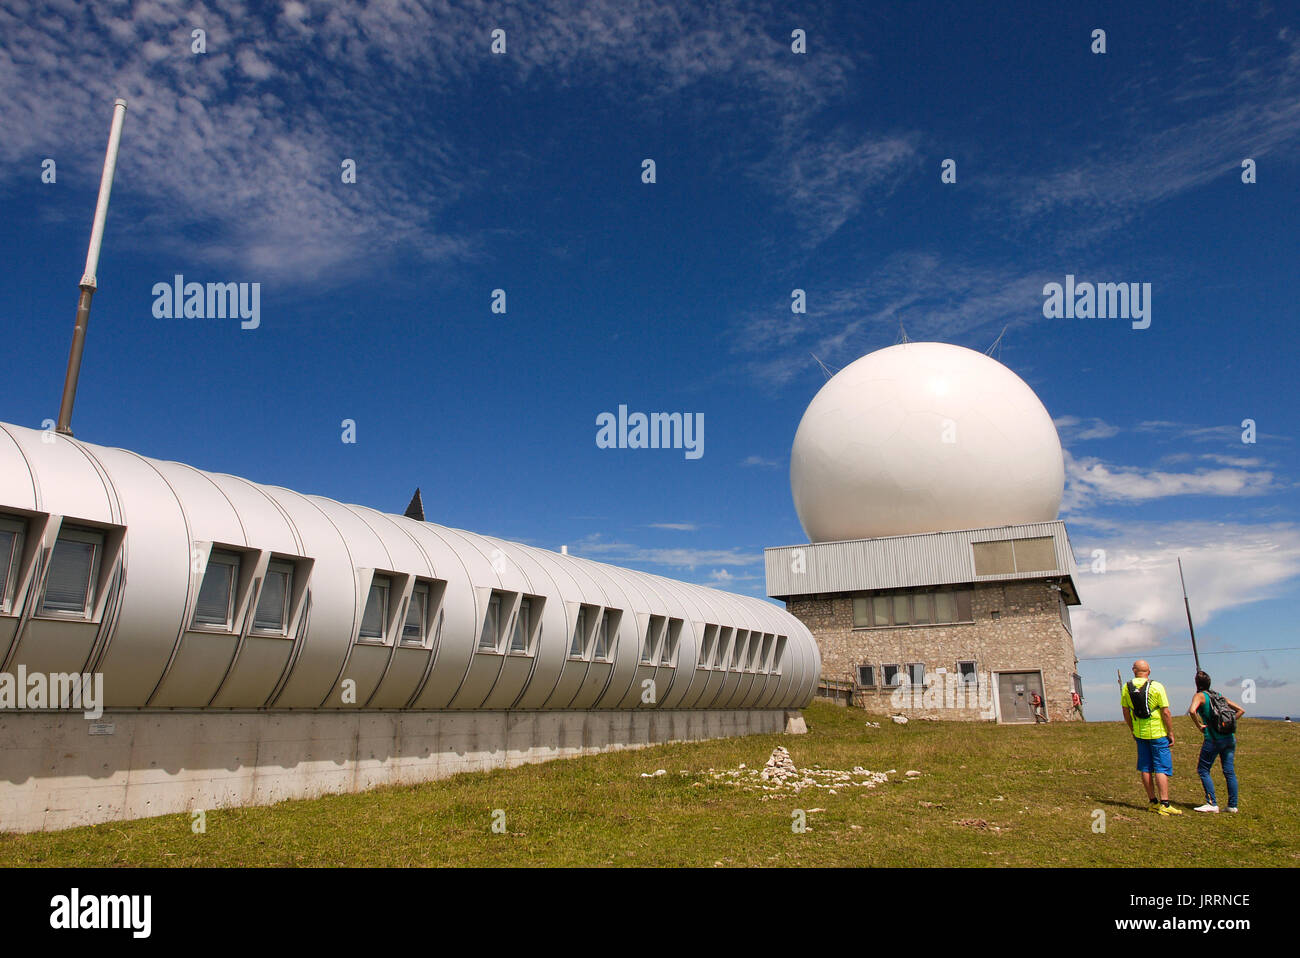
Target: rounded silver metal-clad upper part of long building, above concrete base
pixel 189 589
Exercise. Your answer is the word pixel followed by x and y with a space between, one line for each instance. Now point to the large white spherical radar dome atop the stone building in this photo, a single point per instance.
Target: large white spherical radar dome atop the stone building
pixel 924 437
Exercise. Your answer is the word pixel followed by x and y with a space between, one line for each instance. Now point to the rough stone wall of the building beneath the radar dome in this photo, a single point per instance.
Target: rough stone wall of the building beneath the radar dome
pixel 1028 636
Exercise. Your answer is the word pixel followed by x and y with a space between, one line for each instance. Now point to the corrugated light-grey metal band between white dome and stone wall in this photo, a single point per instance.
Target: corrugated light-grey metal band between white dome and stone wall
pixel 900 562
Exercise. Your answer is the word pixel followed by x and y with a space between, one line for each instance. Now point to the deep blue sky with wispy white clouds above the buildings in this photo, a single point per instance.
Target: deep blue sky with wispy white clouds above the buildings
pixel 774 171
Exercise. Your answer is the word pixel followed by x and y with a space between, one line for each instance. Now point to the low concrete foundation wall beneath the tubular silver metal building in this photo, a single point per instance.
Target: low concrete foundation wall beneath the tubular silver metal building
pixel 57 774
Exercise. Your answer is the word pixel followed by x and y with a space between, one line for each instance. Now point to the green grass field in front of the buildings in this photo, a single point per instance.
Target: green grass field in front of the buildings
pixel 1039 786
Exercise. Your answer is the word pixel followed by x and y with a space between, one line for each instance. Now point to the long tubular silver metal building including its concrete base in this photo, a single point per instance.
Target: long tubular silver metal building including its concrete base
pixel 255 644
